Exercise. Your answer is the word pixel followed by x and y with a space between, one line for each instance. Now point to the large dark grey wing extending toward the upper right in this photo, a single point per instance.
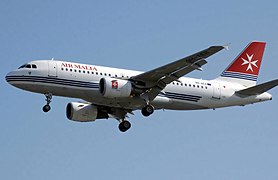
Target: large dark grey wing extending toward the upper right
pixel 155 80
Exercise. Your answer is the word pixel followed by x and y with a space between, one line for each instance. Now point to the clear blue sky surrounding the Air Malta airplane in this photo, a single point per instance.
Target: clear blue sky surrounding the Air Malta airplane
pixel 233 143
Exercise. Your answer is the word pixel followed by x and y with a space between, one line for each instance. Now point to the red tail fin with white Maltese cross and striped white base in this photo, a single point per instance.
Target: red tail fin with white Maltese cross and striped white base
pixel 245 68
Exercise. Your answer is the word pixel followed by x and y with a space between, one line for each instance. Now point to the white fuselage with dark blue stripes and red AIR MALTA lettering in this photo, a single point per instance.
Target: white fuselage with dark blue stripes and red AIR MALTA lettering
pixel 76 80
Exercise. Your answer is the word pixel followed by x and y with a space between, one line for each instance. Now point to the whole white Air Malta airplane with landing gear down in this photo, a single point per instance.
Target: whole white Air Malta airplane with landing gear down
pixel 114 93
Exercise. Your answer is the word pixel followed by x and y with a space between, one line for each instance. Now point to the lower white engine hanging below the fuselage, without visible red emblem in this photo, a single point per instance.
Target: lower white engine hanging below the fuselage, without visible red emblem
pixel 83 112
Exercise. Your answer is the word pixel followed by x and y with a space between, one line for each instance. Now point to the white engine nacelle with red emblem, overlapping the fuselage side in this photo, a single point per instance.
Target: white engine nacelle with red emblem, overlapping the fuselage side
pixel 115 88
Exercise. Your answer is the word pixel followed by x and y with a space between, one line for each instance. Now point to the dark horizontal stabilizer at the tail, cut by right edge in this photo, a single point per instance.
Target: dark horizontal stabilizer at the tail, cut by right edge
pixel 258 89
